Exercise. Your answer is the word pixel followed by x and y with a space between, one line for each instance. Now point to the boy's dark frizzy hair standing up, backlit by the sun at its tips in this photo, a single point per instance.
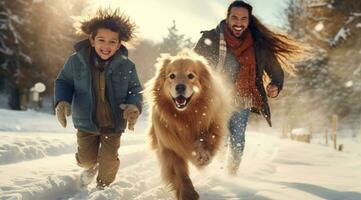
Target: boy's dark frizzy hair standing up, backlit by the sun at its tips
pixel 109 19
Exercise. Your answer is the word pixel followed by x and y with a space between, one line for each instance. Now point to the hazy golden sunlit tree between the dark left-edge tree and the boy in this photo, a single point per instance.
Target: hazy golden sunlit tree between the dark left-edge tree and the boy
pixel 54 35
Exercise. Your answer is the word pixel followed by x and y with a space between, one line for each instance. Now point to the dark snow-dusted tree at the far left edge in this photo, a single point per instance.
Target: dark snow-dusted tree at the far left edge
pixel 14 47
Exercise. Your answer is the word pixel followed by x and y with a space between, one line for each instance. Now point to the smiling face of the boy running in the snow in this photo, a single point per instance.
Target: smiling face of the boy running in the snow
pixel 105 43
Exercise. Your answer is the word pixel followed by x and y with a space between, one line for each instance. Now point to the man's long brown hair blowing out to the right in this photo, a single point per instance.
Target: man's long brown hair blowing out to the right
pixel 287 50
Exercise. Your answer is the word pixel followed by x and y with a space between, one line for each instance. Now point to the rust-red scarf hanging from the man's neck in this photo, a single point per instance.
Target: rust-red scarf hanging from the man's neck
pixel 243 49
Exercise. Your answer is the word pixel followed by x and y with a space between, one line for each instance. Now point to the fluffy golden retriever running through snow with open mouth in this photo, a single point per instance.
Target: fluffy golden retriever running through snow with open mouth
pixel 190 106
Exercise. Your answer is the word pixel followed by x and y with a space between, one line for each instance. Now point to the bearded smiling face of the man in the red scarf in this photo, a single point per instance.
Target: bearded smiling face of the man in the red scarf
pixel 238 20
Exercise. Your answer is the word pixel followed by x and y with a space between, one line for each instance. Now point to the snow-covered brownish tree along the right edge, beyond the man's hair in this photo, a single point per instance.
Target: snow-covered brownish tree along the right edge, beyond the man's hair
pixel 331 79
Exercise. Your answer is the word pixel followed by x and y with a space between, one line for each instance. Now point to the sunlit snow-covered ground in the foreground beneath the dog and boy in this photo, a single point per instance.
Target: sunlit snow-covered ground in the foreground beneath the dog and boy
pixel 271 169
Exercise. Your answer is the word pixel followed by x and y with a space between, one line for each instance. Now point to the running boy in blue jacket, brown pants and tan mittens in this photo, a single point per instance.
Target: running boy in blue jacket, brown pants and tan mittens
pixel 99 84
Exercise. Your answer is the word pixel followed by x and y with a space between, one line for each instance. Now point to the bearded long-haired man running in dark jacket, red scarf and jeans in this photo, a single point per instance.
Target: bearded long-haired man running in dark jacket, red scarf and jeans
pixel 247 51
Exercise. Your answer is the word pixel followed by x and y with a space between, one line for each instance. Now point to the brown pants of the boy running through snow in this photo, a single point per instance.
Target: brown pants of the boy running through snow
pixel 102 149
